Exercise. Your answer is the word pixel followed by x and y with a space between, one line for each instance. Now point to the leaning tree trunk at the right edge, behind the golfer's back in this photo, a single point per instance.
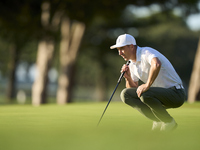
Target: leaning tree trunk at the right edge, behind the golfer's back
pixel 194 87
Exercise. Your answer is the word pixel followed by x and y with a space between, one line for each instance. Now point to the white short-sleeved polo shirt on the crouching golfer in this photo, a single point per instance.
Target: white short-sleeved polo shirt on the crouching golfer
pixel 167 76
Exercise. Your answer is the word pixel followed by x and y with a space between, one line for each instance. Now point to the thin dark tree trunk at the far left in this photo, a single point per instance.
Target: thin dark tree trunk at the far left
pixel 12 69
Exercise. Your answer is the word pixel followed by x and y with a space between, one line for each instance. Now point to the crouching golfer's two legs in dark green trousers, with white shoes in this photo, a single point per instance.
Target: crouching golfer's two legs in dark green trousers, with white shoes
pixel 153 103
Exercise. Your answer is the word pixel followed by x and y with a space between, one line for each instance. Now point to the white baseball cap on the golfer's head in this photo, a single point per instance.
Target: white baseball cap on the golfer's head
pixel 123 40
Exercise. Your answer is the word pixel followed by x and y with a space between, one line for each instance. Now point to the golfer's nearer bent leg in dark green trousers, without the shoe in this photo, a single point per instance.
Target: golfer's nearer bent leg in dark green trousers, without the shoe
pixel 158 99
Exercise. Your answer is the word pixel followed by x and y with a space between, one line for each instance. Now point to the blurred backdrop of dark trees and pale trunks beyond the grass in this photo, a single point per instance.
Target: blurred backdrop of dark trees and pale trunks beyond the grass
pixel 58 51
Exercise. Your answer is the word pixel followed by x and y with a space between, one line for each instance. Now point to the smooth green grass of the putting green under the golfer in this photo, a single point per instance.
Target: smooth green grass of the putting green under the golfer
pixel 74 127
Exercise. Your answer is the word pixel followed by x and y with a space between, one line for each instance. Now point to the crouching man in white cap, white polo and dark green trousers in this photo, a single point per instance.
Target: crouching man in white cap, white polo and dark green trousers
pixel 161 89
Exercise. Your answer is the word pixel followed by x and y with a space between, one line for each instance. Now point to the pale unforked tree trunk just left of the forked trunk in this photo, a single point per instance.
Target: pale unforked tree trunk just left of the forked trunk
pixel 44 58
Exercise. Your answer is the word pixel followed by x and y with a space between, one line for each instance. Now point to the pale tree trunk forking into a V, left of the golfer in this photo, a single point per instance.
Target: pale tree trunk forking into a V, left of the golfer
pixel 70 42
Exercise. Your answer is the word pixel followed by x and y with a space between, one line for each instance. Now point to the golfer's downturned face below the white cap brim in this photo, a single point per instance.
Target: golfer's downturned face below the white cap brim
pixel 125 52
